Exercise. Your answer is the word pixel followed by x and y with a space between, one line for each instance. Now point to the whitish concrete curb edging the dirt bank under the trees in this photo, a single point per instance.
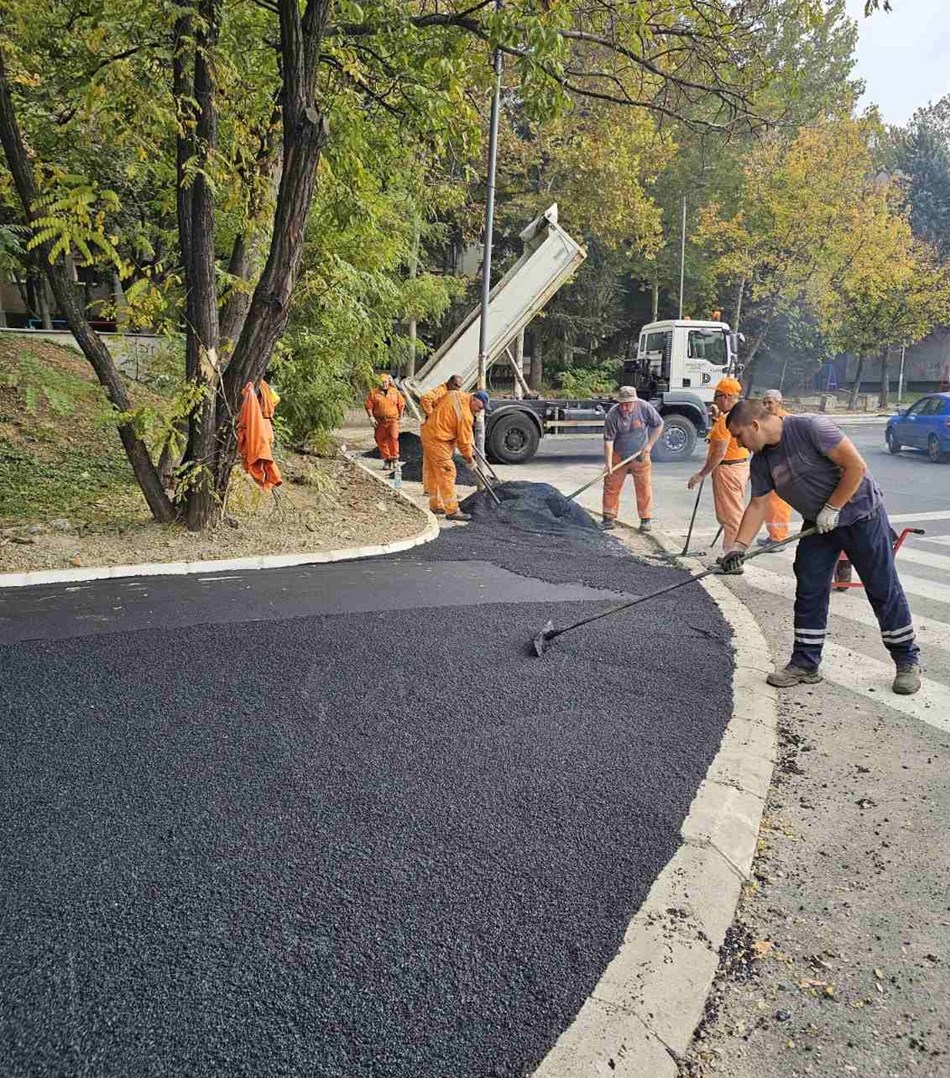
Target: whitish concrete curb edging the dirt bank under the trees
pixel 231 564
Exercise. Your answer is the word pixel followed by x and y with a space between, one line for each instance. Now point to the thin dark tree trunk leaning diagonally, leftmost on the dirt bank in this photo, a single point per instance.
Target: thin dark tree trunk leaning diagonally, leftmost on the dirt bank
pixel 89 341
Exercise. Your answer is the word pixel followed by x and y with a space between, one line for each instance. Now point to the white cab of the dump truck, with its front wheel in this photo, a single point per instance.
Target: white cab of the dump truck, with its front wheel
pixel 678 364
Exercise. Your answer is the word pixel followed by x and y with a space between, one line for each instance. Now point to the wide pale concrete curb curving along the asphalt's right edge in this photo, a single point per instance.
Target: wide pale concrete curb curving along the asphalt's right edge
pixel 640 1019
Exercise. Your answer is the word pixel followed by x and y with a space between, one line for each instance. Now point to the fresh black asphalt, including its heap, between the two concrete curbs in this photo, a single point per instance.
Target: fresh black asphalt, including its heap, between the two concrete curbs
pixel 388 842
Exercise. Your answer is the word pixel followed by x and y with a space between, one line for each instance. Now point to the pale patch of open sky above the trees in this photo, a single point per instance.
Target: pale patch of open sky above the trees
pixel 904 57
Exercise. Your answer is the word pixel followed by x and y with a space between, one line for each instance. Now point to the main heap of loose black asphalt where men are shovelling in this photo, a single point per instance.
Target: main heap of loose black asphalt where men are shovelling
pixel 539 509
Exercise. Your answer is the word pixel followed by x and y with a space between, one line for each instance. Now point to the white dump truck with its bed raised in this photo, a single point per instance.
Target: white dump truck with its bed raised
pixel 677 366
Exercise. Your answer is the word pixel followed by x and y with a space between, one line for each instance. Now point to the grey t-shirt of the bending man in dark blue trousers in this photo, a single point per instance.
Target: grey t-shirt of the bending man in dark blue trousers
pixel 800 471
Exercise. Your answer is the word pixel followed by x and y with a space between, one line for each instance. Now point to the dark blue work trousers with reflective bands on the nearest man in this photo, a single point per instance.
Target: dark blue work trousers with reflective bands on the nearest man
pixel 868 545
